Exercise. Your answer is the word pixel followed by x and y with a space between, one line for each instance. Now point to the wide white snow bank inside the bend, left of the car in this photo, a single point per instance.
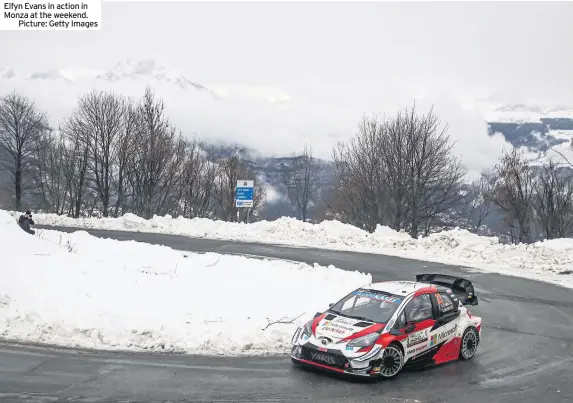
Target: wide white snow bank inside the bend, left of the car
pixel 80 291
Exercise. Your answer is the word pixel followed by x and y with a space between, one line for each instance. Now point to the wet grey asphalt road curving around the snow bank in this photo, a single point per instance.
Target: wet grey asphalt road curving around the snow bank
pixel 526 354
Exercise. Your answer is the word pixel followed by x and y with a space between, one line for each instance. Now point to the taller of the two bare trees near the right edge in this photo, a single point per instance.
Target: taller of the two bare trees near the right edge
pixel 512 191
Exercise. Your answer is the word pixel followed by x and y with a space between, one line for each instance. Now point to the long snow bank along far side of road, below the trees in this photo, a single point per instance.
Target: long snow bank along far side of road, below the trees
pixel 545 261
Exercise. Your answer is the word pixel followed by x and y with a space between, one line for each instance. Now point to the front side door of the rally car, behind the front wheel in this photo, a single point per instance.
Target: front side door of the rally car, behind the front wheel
pixel 417 320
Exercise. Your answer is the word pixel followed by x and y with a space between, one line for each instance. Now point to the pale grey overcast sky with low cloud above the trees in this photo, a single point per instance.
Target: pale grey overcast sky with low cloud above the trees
pixel 336 61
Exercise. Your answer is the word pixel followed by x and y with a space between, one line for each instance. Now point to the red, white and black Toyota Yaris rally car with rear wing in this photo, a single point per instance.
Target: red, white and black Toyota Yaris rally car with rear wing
pixel 378 330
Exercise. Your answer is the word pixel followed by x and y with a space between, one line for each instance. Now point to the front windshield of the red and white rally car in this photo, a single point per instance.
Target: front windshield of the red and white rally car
pixel 370 305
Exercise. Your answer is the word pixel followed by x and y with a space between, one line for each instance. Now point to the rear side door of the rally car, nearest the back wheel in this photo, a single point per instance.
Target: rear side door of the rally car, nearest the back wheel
pixel 447 312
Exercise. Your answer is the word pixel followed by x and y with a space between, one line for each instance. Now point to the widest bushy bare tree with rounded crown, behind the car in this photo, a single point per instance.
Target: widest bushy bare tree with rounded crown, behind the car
pixel 399 172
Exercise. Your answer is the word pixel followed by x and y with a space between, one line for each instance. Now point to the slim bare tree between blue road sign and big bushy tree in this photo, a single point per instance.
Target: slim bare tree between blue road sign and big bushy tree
pixel 300 180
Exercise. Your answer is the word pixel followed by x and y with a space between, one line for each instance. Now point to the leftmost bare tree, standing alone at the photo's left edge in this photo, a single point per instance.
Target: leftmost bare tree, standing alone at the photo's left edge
pixel 20 126
